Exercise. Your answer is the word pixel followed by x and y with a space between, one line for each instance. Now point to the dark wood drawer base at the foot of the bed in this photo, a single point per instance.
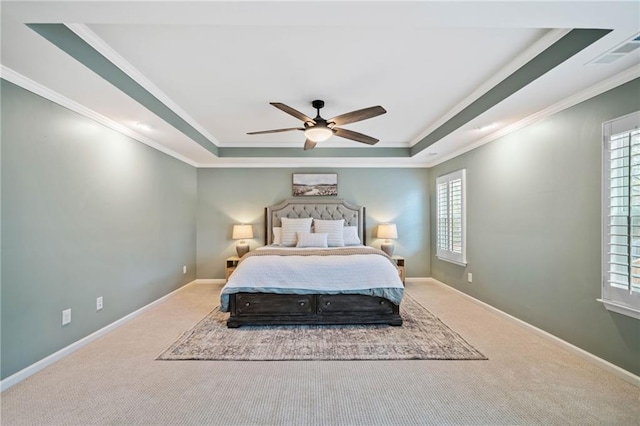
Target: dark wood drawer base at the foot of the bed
pixel 290 309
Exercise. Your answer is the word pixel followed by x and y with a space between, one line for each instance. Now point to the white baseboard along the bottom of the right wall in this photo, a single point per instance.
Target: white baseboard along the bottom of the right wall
pixel 625 375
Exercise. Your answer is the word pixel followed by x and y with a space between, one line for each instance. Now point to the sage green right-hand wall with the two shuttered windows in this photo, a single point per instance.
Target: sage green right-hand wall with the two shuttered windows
pixel 534 227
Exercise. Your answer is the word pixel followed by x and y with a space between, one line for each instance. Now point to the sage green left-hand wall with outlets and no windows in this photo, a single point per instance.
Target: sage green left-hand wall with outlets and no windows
pixel 86 212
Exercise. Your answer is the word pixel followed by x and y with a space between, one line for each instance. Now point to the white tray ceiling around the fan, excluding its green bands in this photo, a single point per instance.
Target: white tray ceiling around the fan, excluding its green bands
pixel 217 65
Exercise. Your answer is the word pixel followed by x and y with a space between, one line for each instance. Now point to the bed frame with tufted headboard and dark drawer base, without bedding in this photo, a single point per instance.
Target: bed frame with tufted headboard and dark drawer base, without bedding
pixel 289 309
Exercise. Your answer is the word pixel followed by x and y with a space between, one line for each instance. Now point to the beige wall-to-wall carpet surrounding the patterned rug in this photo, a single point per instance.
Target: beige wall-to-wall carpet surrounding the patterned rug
pixel 117 381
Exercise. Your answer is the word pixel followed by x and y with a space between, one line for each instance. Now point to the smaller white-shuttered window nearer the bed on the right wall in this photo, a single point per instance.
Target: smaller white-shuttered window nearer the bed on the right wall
pixel 451 227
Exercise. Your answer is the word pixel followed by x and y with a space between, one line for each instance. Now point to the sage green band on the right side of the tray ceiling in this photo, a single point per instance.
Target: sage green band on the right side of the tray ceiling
pixel 572 43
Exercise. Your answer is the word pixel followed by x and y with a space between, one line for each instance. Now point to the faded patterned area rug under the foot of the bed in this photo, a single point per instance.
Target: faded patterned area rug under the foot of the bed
pixel 421 336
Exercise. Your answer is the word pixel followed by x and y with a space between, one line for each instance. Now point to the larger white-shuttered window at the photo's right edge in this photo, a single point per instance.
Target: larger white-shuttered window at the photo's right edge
pixel 621 216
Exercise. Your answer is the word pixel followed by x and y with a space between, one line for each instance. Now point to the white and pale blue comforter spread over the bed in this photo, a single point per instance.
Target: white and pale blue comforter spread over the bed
pixel 371 274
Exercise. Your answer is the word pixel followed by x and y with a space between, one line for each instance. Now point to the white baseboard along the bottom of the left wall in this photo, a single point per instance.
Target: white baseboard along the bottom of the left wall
pixel 68 350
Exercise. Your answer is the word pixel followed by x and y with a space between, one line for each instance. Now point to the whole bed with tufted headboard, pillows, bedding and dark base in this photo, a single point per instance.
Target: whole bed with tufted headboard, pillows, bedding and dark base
pixel 308 283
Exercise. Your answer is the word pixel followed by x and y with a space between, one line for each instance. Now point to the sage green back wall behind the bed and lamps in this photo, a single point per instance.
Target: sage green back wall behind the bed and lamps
pixel 228 196
